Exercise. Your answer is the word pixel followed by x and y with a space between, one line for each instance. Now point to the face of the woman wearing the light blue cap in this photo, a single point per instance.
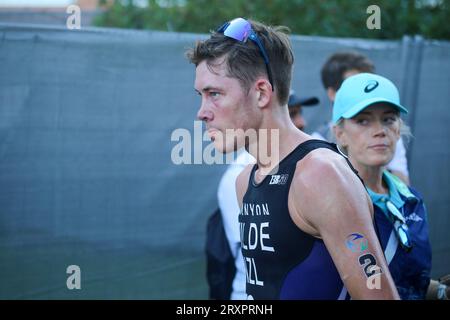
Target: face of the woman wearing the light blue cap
pixel 370 137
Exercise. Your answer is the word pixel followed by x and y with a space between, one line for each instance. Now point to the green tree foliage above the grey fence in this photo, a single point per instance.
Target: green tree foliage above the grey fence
pixel 335 18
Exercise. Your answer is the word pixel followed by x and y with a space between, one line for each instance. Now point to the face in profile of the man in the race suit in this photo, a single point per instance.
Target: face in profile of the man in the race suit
pixel 225 106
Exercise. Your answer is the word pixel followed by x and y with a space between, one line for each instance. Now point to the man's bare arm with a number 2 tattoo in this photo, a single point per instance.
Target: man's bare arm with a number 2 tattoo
pixel 329 198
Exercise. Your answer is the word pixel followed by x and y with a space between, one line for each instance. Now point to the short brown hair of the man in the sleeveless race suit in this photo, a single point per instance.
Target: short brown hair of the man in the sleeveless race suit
pixel 244 60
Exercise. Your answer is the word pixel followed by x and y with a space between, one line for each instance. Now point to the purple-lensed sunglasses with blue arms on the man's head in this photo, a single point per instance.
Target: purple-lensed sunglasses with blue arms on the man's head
pixel 240 29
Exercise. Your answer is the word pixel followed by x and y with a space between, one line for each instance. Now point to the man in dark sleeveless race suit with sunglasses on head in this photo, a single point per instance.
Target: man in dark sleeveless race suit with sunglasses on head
pixel 298 214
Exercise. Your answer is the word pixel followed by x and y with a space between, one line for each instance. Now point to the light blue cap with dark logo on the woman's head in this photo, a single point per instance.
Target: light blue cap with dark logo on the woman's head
pixel 361 91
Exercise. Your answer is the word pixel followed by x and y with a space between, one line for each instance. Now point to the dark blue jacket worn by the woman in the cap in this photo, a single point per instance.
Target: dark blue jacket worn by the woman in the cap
pixel 410 270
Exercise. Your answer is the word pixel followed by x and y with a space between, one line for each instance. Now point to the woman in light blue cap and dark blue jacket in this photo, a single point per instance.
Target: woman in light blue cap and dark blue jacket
pixel 367 126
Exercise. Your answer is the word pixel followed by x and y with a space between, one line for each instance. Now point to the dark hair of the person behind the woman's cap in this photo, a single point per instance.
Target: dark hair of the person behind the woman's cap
pixel 339 63
